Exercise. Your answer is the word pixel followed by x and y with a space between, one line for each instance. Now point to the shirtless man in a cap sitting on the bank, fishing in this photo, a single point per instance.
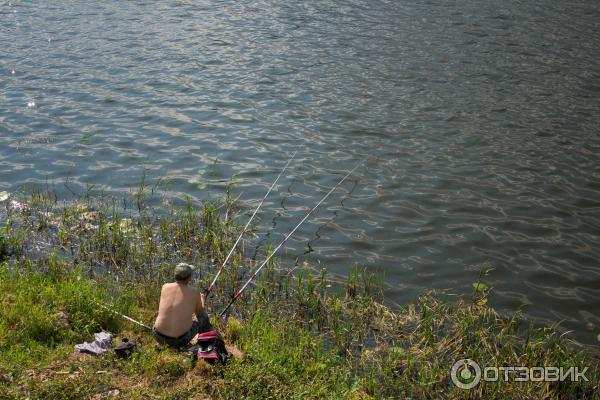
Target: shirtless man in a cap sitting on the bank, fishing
pixel 178 301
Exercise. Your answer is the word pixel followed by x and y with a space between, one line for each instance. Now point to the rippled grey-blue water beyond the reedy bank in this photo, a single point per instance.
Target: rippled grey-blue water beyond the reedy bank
pixel 479 123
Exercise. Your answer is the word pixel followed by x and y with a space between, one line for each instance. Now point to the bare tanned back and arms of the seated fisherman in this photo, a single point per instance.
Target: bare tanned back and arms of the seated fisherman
pixel 178 302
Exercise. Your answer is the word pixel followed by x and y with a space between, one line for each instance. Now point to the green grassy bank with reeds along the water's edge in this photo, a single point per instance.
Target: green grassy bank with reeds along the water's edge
pixel 303 333
